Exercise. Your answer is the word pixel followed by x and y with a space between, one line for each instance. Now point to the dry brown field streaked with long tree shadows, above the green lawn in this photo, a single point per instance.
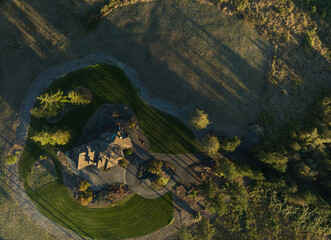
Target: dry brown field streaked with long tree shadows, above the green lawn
pixel 184 51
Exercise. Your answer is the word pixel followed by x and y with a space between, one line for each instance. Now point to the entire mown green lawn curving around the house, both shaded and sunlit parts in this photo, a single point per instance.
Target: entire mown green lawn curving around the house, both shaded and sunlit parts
pixel 165 133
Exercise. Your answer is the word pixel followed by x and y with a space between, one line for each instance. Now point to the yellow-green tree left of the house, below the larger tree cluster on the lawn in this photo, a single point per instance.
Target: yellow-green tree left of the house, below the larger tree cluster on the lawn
pixel 57 137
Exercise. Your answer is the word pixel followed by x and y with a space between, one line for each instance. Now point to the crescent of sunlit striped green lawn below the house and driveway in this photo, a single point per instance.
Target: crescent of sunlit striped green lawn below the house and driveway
pixel 137 217
